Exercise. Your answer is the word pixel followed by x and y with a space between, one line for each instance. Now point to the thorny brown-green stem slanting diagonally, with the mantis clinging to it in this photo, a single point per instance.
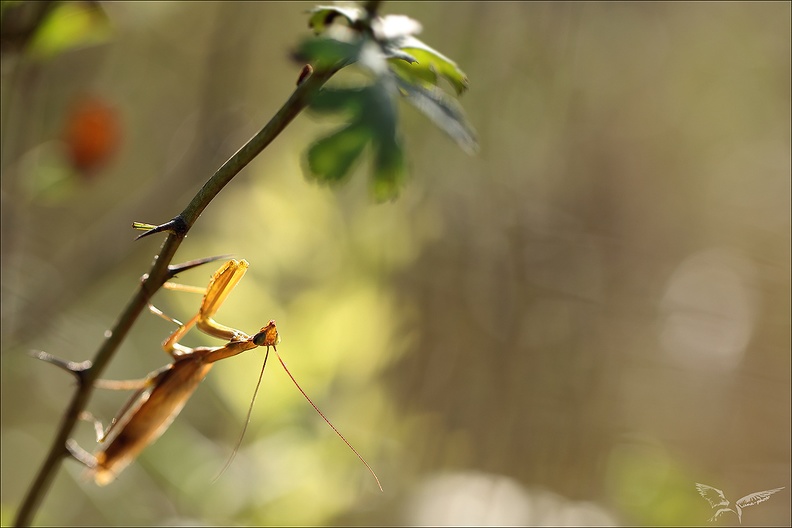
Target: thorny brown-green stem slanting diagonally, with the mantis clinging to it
pixel 153 281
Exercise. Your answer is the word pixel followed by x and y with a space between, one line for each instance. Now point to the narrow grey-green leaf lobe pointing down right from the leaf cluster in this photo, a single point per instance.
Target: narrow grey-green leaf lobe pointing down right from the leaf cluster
pixel 443 111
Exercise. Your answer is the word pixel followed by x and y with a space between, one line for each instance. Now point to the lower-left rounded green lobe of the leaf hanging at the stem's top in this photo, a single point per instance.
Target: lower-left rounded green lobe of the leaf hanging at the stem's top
pixel 331 158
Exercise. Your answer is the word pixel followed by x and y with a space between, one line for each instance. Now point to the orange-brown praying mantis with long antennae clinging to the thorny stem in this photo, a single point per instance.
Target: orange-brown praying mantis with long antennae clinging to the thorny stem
pixel 161 395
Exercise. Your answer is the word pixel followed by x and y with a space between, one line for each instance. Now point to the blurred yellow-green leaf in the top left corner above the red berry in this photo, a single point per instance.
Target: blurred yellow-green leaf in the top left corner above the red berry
pixel 68 26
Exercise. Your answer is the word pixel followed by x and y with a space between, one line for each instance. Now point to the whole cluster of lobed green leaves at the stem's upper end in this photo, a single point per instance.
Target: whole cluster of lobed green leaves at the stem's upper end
pixel 387 50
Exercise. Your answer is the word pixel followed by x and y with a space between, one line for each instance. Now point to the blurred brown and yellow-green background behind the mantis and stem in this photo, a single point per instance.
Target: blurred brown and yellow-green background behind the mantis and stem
pixel 572 327
